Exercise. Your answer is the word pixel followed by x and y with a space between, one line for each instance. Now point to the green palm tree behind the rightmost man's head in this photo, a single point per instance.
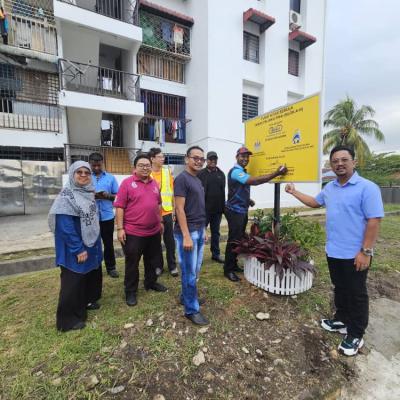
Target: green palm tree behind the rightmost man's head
pixel 349 124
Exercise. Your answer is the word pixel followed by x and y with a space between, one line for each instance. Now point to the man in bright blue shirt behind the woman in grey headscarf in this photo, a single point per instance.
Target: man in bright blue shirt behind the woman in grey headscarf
pixel 106 188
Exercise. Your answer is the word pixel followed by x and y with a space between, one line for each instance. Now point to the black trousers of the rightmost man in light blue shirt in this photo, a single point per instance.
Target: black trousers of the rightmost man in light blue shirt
pixel 351 295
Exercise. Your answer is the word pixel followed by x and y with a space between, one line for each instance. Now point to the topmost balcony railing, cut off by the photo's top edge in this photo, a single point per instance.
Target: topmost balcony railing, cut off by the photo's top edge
pixel 122 10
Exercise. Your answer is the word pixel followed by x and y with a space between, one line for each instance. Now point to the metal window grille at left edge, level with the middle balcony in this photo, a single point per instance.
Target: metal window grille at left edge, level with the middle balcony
pixel 29 99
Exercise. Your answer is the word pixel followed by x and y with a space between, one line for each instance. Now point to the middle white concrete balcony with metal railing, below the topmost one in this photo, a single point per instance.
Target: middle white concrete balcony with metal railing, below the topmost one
pixel 97 88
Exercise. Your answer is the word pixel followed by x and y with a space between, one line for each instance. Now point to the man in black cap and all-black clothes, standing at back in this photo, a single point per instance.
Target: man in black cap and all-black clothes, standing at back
pixel 213 180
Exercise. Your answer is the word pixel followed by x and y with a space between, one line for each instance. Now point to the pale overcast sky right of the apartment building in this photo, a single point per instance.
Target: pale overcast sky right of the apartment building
pixel 362 59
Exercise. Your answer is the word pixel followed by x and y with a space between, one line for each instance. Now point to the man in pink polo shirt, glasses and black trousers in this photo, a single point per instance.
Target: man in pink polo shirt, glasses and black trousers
pixel 139 227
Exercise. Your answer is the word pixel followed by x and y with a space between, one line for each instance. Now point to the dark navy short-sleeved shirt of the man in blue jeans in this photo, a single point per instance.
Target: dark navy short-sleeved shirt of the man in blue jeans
pixel 190 187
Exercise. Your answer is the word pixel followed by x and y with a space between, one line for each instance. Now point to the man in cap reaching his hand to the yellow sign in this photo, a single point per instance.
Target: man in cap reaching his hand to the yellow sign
pixel 237 205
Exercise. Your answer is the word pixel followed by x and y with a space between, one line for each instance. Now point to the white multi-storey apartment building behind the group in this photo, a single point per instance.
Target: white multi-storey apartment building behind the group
pixel 120 76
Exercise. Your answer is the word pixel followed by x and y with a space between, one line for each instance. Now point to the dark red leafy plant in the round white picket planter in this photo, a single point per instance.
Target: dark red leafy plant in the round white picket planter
pixel 272 251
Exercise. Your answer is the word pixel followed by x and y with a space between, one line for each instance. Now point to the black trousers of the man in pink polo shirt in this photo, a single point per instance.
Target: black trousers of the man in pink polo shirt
pixel 134 248
